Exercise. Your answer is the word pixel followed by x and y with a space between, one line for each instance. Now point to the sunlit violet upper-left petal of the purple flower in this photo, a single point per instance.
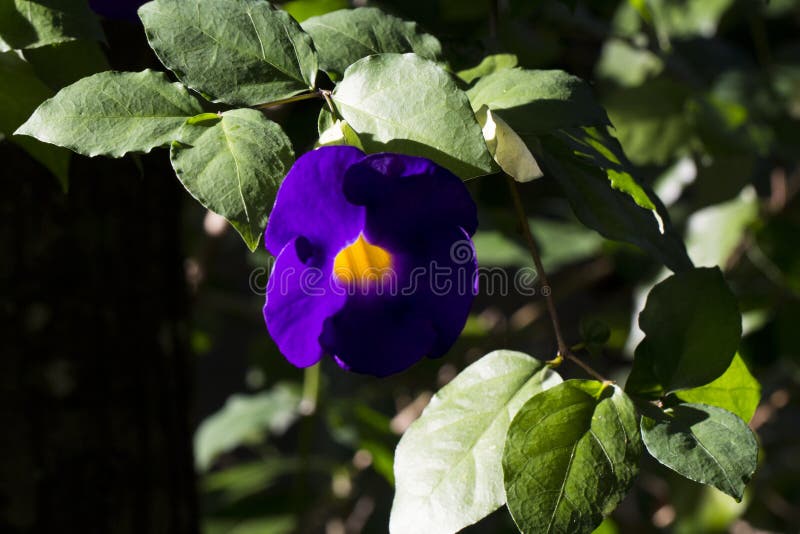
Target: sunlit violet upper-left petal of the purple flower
pixel 311 203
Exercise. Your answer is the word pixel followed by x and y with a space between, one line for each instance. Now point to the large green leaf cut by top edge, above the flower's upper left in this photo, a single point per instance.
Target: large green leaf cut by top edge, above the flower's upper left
pixel 239 52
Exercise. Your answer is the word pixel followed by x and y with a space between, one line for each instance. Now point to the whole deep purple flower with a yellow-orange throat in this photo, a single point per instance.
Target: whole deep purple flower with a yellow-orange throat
pixel 375 265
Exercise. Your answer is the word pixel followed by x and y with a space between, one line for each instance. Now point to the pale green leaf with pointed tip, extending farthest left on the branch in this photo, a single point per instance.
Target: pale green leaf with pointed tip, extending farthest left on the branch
pixel 113 113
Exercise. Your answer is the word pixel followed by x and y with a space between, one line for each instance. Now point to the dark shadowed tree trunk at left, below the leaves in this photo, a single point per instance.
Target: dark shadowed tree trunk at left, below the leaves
pixel 95 385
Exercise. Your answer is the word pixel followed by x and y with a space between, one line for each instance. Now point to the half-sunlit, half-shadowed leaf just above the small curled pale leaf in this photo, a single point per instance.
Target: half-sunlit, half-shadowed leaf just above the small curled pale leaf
pixel 538 101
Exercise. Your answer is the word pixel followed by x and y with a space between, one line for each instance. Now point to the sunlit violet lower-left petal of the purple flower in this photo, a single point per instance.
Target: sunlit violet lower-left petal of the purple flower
pixel 299 300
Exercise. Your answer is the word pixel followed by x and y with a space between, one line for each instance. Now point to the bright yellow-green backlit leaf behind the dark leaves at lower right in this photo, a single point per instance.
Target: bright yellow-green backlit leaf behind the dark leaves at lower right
pixel 736 390
